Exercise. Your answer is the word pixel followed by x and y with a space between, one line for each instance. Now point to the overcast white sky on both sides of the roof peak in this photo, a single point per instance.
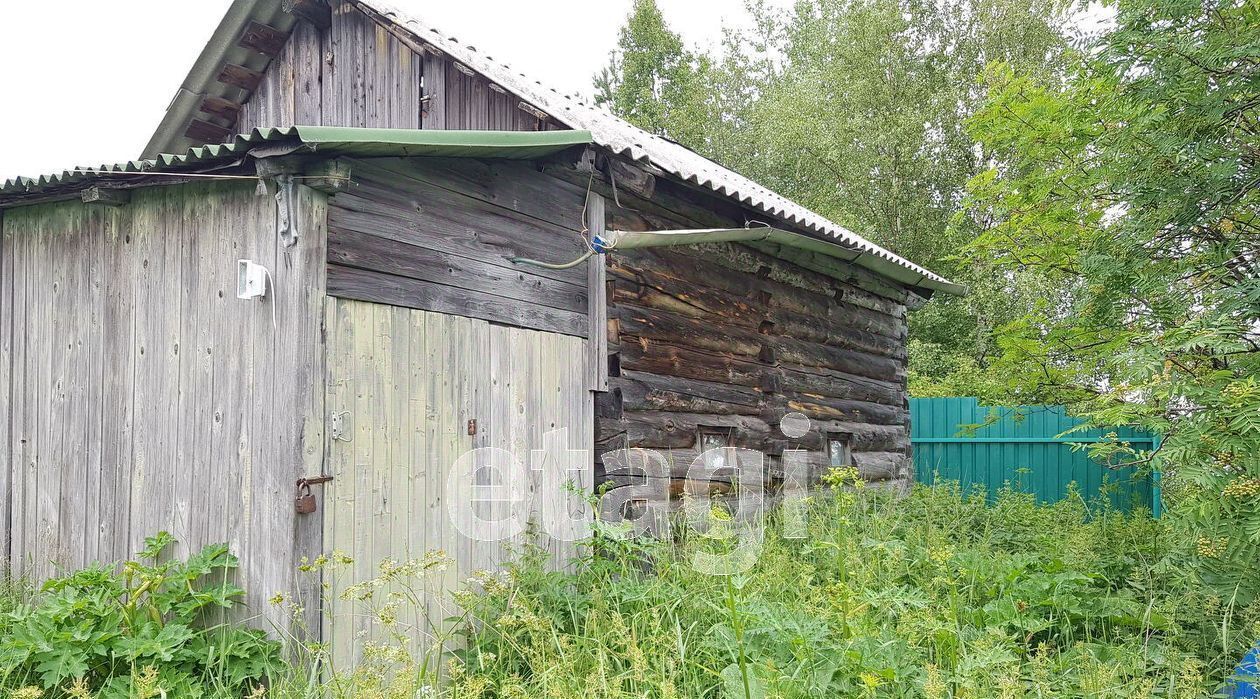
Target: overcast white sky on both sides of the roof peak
pixel 86 81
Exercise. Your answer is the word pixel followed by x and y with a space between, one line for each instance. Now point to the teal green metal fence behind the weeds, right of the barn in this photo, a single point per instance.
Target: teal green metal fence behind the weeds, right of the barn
pixel 1021 448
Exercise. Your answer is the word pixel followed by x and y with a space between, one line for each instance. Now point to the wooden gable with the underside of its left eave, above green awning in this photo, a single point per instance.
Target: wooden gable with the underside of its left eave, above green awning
pixel 352 71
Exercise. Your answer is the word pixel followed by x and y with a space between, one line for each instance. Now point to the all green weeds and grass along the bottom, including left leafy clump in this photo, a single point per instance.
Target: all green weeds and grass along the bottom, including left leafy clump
pixel 938 595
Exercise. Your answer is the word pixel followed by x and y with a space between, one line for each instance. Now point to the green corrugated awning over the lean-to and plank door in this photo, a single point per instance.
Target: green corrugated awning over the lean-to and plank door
pixel 329 140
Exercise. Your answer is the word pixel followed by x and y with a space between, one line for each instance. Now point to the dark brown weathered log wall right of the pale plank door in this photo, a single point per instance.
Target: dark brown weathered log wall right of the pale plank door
pixel 730 338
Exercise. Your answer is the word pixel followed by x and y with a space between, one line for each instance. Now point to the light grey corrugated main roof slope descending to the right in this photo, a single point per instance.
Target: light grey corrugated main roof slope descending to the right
pixel 631 142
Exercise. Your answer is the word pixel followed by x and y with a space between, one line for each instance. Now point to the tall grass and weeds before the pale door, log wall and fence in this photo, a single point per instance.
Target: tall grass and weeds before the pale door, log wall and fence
pixel 934 595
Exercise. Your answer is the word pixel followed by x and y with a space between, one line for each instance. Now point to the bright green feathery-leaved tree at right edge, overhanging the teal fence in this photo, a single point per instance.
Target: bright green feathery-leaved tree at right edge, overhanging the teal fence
pixel 1131 190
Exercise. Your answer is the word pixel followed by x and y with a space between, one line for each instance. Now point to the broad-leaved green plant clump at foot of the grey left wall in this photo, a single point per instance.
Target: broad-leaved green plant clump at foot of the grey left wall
pixel 143 632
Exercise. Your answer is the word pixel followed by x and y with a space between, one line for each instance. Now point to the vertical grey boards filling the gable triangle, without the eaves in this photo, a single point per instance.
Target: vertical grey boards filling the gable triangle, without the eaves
pixel 357 74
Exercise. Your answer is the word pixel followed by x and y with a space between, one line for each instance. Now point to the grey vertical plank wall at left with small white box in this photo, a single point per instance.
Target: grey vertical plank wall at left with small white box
pixel 143 396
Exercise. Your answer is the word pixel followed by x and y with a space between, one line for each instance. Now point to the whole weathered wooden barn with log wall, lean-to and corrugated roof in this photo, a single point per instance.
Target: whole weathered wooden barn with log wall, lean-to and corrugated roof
pixel 318 269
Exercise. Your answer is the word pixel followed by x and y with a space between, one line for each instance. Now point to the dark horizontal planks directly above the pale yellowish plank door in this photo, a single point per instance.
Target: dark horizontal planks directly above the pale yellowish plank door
pixel 437 235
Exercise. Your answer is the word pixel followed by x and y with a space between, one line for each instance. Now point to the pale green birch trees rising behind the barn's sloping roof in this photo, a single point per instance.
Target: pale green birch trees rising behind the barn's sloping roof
pixel 855 109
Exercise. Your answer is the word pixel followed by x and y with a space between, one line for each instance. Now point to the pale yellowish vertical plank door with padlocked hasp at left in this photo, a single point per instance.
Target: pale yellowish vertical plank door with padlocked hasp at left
pixel 409 384
